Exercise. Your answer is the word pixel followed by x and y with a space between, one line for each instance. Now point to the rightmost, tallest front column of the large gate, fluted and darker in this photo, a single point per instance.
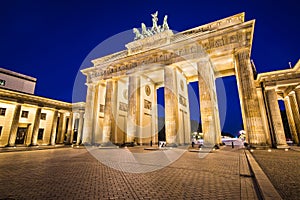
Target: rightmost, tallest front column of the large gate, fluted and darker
pixel 251 114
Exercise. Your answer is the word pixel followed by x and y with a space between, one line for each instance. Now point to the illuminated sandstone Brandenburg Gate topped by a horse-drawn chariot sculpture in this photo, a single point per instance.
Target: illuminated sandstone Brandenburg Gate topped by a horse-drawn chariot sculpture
pixel 121 100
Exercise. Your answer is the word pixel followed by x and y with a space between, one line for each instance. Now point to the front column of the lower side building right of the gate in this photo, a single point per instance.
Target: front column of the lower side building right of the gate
pixel 278 130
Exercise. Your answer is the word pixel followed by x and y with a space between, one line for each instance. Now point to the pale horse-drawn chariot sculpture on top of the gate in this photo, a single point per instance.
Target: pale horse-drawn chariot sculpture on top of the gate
pixel 154 30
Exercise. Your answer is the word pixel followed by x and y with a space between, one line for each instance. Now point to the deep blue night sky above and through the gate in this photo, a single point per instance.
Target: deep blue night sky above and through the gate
pixel 53 40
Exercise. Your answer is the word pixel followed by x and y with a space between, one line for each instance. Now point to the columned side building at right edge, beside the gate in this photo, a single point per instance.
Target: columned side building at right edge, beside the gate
pixel 280 85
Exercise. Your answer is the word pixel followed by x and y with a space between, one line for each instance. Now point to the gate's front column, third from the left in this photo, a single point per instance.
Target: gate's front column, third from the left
pixel 133 108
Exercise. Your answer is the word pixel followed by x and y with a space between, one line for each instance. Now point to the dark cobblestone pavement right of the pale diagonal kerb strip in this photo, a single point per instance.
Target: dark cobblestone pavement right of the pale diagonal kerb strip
pixel 283 169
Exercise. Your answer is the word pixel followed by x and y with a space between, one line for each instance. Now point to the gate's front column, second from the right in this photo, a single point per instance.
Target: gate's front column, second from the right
pixel 208 104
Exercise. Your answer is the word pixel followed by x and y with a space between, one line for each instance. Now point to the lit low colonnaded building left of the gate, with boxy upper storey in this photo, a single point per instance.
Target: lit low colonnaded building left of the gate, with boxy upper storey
pixel 27 119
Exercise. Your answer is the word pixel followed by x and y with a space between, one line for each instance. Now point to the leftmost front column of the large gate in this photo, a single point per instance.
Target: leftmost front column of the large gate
pixel 89 115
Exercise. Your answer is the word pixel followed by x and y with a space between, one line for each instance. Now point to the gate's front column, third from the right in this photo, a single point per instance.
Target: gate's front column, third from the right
pixel 171 105
